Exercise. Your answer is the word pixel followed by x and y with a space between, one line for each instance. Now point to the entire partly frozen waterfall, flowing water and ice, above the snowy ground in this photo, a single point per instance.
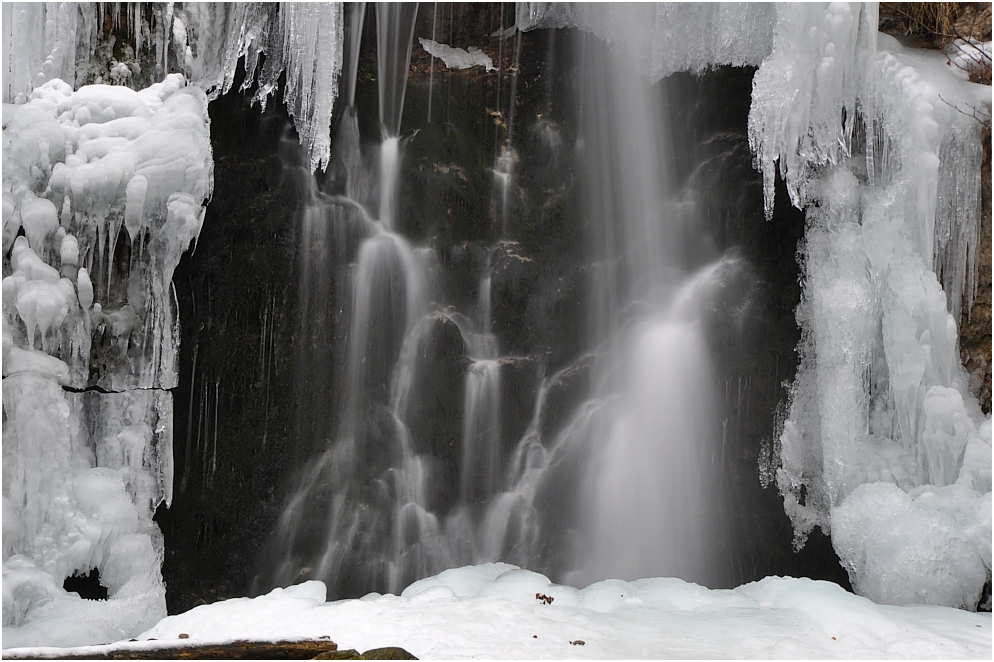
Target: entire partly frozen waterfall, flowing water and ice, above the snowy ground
pixel 506 330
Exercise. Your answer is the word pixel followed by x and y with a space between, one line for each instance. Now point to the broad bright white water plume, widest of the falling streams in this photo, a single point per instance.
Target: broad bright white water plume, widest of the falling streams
pixel 645 442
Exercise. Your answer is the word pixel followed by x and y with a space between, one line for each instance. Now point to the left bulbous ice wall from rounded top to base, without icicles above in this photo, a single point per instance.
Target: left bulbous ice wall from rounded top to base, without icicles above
pixel 103 190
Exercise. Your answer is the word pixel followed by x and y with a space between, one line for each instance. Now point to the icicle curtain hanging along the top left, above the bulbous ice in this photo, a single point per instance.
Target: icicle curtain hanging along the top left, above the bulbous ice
pixel 205 40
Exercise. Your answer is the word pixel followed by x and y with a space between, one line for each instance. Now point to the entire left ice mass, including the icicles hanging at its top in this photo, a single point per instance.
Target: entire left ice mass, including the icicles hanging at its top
pixel 104 188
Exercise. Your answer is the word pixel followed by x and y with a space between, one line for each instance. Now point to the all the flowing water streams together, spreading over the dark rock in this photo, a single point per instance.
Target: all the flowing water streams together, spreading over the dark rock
pixel 639 453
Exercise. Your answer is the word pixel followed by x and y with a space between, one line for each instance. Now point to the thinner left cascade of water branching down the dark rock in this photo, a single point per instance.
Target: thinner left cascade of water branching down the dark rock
pixel 335 519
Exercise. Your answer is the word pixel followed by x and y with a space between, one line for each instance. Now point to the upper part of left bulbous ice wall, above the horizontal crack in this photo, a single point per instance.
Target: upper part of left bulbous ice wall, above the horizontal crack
pixel 108 186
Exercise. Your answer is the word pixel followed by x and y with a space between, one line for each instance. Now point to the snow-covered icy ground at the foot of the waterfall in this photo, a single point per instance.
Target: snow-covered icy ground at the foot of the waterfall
pixel 500 611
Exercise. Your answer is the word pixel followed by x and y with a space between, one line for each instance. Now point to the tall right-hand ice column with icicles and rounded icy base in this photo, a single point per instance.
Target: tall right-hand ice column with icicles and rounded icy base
pixel 884 446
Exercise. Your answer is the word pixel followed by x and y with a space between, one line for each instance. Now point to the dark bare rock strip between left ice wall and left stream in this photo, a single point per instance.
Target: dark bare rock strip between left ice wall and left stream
pixel 233 409
